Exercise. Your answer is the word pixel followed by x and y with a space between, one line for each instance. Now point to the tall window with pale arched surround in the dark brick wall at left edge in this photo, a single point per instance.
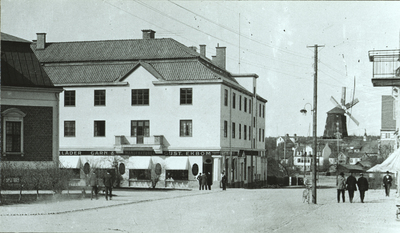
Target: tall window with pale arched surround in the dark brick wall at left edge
pixel 13 132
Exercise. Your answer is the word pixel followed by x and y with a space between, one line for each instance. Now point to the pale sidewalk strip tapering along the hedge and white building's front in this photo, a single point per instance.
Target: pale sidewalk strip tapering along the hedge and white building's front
pixel 75 204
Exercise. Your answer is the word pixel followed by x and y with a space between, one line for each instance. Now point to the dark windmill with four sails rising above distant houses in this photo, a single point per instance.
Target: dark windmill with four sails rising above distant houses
pixel 336 118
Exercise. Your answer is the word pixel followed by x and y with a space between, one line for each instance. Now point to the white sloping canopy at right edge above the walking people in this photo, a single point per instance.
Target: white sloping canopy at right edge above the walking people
pixel 391 164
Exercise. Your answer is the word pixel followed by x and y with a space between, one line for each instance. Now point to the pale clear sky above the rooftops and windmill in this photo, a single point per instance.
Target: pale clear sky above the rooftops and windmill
pixel 269 38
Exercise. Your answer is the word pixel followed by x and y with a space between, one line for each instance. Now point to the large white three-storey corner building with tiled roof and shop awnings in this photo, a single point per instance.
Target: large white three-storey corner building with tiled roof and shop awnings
pixel 155 109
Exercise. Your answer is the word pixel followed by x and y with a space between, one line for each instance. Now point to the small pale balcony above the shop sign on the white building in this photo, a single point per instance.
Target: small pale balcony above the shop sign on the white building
pixel 123 143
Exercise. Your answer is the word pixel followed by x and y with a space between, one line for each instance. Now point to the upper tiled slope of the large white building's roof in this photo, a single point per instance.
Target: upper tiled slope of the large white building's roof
pixel 113 50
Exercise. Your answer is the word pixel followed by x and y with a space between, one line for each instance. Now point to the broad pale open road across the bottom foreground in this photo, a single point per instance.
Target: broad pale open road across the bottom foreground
pixel 234 210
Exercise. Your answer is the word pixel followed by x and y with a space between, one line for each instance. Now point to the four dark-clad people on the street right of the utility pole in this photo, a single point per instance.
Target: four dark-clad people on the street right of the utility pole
pixel 351 183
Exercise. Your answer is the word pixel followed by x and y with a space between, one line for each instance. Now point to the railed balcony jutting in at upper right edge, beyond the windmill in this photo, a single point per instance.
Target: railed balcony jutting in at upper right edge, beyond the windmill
pixel 386 67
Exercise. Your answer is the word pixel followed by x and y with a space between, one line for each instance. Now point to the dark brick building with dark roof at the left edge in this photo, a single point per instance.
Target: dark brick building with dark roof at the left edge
pixel 29 107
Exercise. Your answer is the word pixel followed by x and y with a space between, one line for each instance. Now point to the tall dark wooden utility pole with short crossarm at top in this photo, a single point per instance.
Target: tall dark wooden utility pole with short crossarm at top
pixel 314 160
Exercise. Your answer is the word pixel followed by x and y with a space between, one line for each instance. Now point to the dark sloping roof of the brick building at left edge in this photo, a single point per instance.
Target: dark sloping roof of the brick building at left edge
pixel 19 65
